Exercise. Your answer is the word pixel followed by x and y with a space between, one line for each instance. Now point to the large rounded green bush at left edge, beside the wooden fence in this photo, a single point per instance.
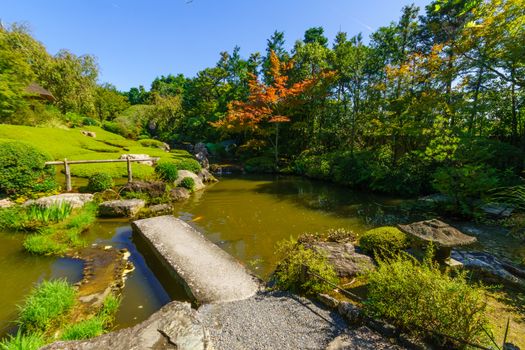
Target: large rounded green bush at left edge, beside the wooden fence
pixel 22 170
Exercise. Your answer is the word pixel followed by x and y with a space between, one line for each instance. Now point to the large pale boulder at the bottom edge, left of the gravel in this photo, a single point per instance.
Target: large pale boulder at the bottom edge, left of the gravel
pixel 175 326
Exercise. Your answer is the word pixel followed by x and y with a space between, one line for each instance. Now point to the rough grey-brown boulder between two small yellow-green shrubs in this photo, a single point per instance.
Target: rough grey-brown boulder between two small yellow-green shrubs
pixel 343 257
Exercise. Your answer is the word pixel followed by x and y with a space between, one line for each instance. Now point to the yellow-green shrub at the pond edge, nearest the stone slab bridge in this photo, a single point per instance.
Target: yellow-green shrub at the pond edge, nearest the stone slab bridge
pixel 296 269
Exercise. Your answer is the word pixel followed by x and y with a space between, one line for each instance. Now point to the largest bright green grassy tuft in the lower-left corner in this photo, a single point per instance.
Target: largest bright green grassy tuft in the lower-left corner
pixel 46 304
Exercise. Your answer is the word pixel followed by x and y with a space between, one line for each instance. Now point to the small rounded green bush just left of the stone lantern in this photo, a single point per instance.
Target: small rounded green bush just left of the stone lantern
pixel 383 241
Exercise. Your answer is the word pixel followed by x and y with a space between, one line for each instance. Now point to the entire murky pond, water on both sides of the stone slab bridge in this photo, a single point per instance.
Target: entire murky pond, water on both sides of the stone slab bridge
pixel 244 215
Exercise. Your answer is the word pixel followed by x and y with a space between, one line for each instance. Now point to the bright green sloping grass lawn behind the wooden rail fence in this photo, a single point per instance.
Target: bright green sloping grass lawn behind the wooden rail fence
pixel 71 144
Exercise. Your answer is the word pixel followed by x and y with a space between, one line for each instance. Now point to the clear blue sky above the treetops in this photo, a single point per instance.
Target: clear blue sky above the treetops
pixel 135 41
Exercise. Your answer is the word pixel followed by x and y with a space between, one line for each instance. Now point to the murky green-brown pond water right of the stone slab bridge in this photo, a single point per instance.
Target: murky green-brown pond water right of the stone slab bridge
pixel 248 215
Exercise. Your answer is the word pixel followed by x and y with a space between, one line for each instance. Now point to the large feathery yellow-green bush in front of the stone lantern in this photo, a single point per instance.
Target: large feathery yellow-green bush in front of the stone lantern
pixel 420 298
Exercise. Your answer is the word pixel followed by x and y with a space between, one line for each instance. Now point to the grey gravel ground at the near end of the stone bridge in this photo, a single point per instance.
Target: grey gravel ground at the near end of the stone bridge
pixel 275 320
